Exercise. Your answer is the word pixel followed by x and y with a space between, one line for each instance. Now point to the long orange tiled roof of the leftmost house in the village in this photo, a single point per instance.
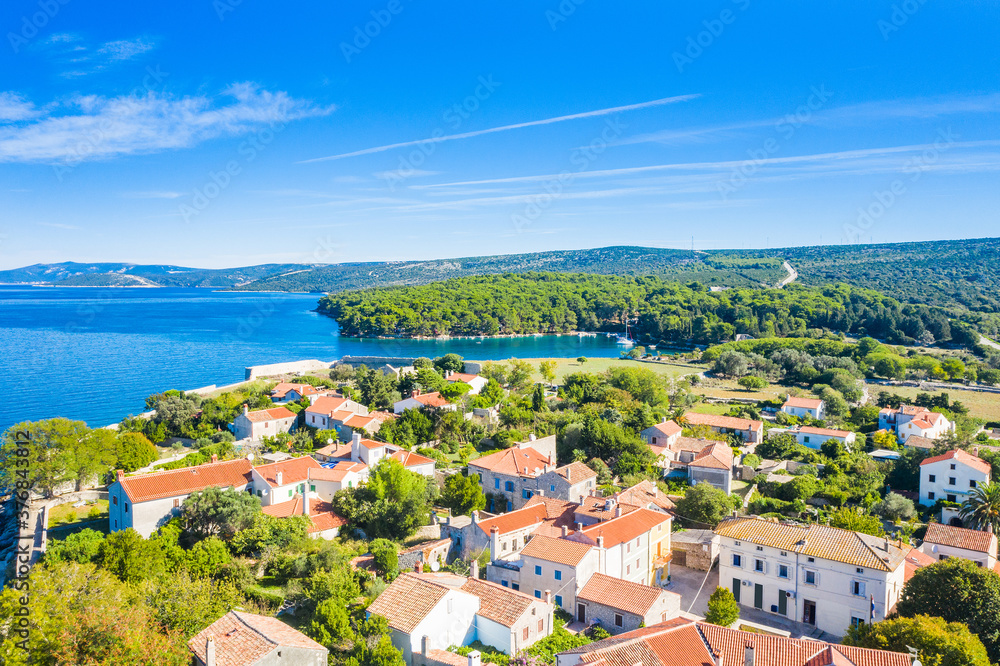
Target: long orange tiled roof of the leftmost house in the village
pixel 171 483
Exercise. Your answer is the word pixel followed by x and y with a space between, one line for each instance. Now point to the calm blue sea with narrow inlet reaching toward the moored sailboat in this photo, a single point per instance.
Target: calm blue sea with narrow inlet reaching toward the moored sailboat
pixel 94 354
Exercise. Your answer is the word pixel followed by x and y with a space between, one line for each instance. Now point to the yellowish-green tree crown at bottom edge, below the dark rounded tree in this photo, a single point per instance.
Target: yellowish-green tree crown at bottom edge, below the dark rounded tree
pixel 938 642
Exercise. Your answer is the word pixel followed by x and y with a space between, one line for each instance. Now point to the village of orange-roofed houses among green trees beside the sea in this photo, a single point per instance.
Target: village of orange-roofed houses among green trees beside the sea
pixel 563 512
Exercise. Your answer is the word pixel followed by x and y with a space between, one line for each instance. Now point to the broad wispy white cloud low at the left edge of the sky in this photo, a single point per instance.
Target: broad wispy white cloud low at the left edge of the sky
pixel 93 127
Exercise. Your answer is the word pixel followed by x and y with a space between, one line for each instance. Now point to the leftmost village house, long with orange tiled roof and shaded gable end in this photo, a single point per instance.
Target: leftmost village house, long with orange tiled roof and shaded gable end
pixel 146 502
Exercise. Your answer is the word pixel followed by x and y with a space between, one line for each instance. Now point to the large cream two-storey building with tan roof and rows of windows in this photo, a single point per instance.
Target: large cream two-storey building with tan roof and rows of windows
pixel 822 576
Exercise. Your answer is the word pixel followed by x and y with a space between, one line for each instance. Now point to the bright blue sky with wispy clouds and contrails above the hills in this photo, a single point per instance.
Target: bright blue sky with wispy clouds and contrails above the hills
pixel 239 132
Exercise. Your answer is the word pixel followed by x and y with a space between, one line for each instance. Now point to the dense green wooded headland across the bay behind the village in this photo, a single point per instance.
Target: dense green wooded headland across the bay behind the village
pixel 665 311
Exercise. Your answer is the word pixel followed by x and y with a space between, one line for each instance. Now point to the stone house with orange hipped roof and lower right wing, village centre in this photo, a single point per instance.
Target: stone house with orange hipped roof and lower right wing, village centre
pixel 521 472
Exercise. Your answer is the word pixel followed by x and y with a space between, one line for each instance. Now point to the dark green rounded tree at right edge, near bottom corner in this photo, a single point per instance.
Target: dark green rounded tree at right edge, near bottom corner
pixel 958 591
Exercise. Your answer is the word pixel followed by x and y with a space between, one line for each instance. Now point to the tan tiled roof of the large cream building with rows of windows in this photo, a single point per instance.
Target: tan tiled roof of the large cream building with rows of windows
pixel 829 543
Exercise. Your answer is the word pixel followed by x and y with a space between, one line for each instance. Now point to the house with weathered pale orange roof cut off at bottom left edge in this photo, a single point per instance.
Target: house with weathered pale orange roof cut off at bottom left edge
pixel 245 639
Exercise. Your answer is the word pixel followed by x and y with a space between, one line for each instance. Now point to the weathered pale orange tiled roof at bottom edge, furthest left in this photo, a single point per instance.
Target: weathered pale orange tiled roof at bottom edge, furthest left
pixel 242 639
